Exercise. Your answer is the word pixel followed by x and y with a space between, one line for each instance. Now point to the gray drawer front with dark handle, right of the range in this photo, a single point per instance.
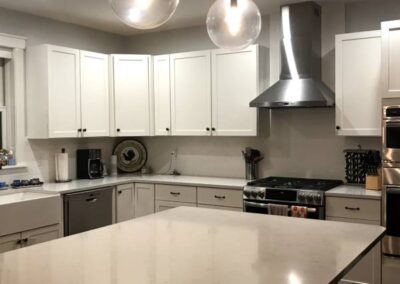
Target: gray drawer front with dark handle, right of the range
pixel 353 208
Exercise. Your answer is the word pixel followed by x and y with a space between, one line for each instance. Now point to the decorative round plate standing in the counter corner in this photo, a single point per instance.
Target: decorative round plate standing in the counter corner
pixel 131 156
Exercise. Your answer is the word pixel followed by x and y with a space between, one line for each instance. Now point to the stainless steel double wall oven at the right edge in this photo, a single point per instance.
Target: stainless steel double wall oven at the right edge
pixel 391 176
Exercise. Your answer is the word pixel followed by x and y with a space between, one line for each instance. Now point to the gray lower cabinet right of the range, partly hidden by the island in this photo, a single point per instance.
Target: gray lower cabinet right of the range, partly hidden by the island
pixel 364 211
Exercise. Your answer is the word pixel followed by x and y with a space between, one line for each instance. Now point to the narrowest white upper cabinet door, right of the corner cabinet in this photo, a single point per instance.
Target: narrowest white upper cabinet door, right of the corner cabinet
pixel 162 95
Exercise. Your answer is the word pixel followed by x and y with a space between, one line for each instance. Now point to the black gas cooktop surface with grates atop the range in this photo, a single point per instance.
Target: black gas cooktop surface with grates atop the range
pixel 296 183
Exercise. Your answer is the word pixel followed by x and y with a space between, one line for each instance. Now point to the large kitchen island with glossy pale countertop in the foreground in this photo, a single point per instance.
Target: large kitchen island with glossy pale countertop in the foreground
pixel 194 245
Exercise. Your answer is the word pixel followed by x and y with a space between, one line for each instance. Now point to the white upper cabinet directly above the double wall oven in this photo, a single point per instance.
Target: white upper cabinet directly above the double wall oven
pixel 391 59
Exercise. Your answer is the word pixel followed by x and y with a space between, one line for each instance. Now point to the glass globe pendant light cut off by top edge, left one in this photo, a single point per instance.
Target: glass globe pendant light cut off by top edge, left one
pixel 144 14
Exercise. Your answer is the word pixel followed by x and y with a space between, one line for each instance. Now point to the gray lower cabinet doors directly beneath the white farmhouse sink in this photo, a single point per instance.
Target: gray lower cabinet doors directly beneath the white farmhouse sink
pixel 28 238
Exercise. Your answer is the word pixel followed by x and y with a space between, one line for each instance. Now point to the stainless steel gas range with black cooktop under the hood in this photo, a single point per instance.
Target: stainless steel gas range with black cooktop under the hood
pixel 259 195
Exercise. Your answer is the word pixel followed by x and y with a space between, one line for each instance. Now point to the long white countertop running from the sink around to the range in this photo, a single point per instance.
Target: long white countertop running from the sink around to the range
pixel 79 185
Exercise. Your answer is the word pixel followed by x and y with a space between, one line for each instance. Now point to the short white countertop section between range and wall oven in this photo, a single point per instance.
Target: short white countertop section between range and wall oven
pixel 354 191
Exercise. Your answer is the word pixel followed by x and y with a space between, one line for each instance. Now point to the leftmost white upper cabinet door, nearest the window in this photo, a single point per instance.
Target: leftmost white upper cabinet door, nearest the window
pixel 64 92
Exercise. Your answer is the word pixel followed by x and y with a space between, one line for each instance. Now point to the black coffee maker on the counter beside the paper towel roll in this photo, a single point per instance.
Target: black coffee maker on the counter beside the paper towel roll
pixel 89 164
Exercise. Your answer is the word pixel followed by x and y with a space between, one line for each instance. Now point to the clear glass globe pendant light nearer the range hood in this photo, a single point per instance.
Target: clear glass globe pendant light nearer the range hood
pixel 234 24
